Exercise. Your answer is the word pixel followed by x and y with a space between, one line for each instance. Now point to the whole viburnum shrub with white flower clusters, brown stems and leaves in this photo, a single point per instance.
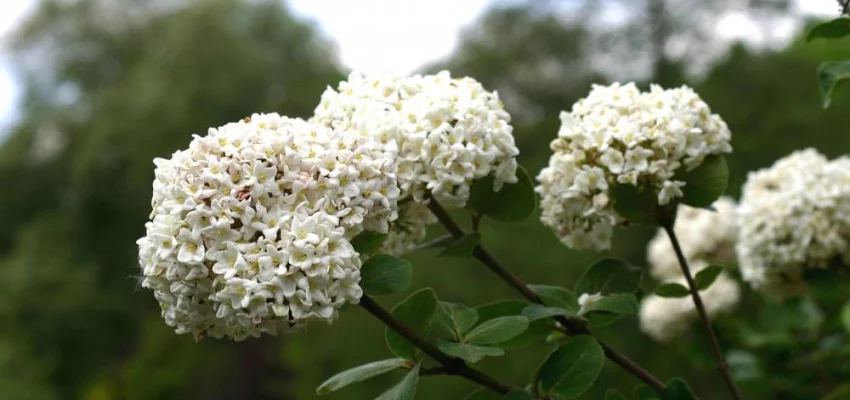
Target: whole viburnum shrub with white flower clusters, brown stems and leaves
pixel 269 223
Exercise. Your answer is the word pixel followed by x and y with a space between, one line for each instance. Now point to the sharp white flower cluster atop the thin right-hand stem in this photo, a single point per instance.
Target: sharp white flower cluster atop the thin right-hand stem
pixel 619 135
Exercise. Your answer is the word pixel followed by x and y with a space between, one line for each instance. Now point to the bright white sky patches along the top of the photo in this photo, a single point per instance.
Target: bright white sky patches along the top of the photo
pixel 417 31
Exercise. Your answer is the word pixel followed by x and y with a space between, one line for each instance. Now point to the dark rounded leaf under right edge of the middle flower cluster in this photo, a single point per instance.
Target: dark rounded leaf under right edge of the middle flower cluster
pixel 514 203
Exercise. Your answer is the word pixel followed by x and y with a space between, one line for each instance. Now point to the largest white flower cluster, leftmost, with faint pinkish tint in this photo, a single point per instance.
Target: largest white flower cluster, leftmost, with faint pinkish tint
pixel 250 226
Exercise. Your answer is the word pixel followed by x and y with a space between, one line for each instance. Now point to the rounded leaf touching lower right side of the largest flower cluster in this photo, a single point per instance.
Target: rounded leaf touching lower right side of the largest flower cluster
pixel 385 274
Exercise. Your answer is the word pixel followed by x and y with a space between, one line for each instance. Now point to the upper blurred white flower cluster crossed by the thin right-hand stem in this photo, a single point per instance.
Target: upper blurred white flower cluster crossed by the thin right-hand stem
pixel 704 236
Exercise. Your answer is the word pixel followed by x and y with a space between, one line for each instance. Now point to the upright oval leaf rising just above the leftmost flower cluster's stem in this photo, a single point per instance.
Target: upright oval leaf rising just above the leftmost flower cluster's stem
pixel 416 313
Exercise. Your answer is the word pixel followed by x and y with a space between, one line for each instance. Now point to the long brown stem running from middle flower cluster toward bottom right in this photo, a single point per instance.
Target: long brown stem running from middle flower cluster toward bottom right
pixel 571 326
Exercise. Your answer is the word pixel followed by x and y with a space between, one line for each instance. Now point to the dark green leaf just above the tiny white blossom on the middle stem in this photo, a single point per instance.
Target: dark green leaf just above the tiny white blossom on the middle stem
pixel 608 276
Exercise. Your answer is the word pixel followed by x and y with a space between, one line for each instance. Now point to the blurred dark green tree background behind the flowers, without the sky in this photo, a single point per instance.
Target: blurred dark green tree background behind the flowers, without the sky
pixel 111 84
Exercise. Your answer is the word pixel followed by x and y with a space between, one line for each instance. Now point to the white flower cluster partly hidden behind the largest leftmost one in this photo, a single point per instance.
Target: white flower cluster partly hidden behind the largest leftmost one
pixel 443 132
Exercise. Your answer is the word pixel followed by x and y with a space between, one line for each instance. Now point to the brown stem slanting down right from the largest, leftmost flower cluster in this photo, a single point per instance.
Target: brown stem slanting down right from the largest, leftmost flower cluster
pixel 450 365
